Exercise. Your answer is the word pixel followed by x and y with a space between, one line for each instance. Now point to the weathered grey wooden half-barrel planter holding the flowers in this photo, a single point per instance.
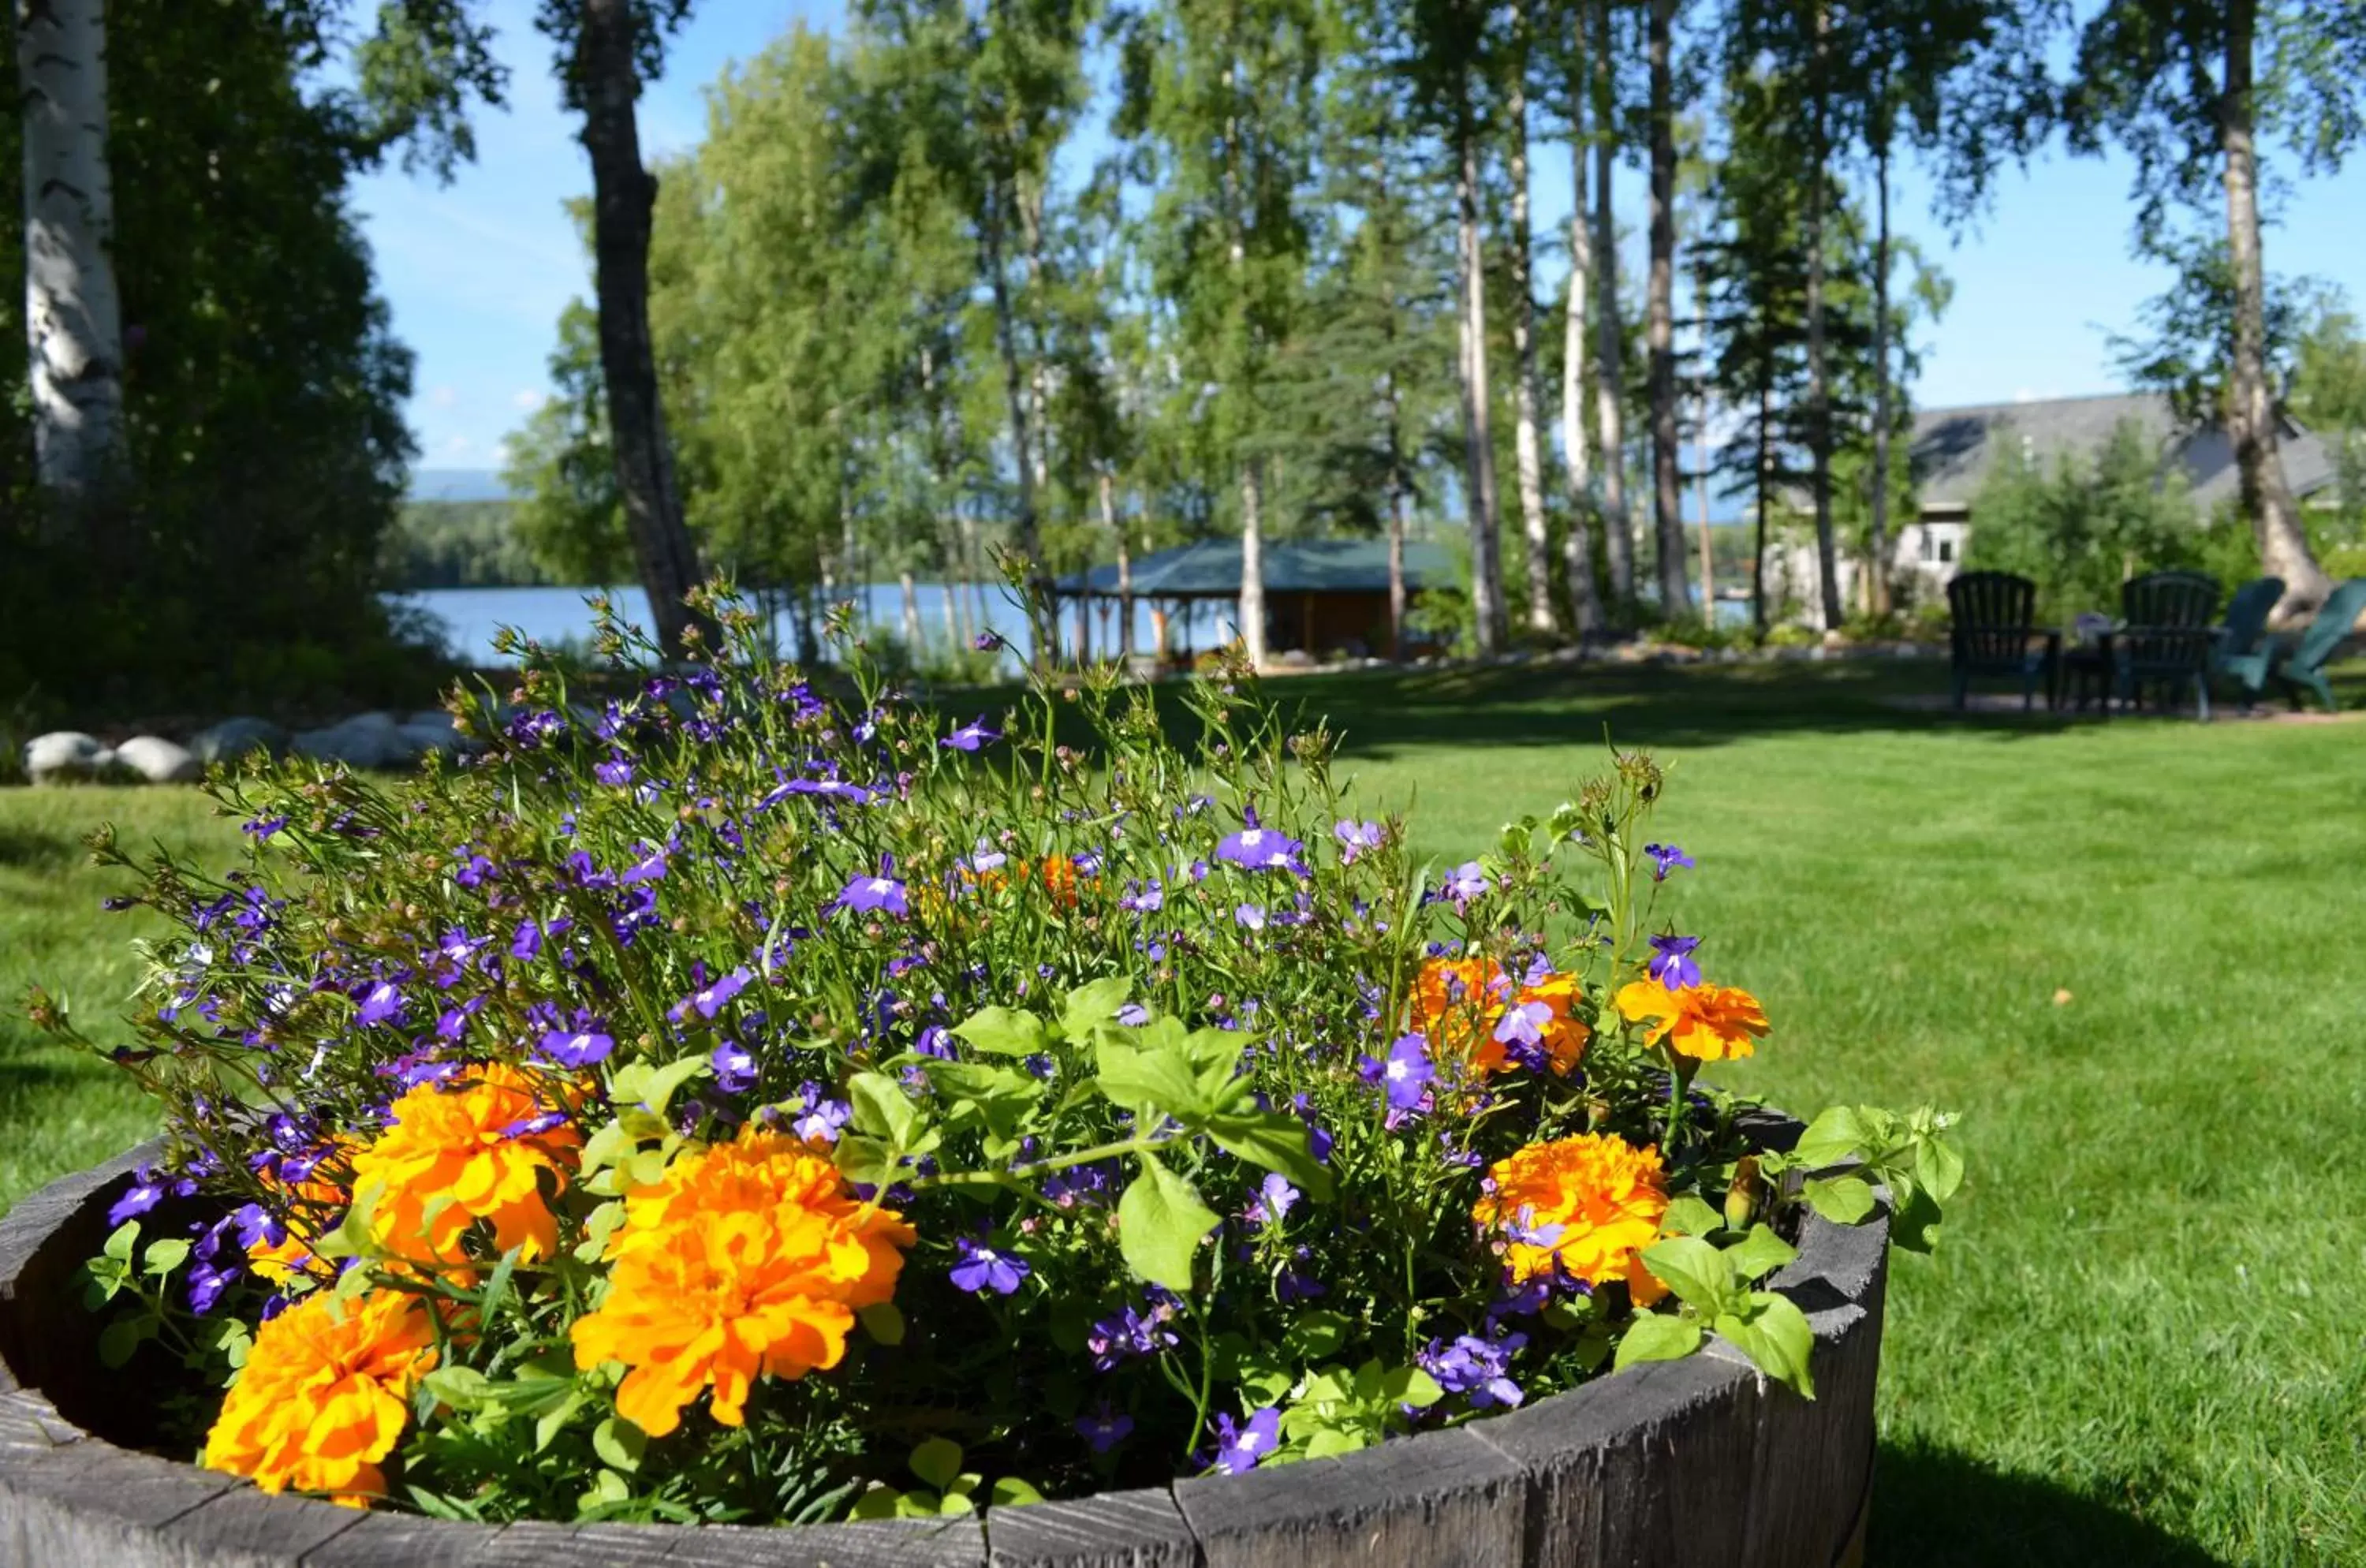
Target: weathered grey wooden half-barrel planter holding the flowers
pixel 1695 1463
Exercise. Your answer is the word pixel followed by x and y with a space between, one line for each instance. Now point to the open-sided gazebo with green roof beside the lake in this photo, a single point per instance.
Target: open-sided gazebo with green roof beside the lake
pixel 1321 595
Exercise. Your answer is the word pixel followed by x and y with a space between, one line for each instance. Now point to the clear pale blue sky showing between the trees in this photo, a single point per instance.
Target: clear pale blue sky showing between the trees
pixel 479 271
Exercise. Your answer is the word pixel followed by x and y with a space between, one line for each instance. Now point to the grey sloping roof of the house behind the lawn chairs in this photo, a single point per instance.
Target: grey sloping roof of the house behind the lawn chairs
pixel 1955 448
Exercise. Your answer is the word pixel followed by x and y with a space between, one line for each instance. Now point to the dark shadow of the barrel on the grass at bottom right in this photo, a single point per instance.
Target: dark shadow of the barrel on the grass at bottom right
pixel 1944 1510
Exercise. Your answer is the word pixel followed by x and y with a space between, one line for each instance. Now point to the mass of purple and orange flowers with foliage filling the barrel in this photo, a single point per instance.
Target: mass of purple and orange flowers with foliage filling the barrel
pixel 754 1101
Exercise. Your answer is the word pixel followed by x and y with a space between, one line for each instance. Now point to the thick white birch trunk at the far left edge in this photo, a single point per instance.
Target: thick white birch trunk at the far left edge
pixel 72 316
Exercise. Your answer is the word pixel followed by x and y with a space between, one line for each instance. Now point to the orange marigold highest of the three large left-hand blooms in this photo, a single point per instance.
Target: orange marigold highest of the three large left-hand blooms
pixel 474 1153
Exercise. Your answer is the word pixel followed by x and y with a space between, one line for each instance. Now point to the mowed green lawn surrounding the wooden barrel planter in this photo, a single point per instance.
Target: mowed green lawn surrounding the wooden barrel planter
pixel 2131 954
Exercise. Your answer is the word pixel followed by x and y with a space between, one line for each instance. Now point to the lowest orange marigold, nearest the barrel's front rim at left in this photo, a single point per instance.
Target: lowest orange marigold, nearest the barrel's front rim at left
pixel 325 1394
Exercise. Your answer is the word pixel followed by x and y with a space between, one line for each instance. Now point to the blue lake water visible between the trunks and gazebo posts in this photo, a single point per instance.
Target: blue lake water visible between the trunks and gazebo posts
pixel 555 616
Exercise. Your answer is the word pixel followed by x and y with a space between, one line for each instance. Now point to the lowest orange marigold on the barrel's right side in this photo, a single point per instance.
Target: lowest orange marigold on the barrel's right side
pixel 1586 1203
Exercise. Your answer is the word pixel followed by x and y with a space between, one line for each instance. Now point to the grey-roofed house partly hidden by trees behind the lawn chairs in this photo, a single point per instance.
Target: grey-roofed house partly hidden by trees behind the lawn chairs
pixel 1955 451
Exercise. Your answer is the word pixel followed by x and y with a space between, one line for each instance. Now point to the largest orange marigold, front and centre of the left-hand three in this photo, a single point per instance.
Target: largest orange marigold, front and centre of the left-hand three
pixel 744 1259
